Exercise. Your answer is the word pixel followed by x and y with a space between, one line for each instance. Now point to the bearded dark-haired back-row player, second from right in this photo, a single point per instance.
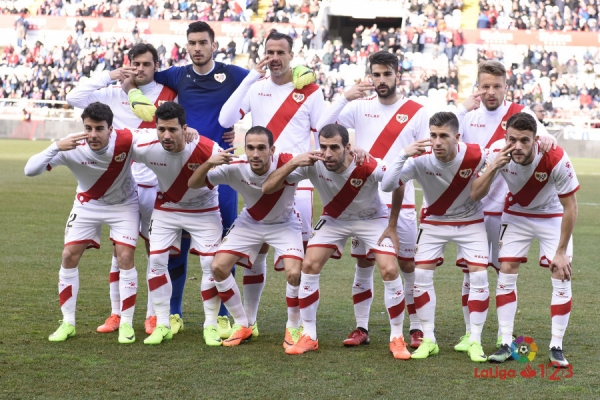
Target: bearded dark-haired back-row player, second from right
pixel 385 123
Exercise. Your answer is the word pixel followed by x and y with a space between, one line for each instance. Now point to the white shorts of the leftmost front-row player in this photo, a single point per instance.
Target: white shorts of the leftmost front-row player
pixel 84 224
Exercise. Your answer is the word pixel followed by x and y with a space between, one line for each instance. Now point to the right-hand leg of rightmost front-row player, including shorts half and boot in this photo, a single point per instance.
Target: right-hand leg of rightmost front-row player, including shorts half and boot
pixel 548 230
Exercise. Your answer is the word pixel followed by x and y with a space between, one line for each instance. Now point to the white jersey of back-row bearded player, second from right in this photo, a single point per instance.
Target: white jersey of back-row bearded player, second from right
pixel 382 130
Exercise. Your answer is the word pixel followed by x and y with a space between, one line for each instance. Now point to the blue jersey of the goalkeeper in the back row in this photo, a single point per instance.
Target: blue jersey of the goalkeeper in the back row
pixel 203 96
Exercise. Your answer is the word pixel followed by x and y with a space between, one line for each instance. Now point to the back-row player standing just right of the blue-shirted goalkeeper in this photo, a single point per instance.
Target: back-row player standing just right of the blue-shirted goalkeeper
pixel 291 114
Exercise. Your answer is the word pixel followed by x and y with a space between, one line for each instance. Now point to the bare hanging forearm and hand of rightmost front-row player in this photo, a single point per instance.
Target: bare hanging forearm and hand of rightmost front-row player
pixel 561 264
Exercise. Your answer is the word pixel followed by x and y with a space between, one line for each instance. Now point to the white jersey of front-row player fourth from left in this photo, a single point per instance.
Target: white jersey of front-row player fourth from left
pixel 351 195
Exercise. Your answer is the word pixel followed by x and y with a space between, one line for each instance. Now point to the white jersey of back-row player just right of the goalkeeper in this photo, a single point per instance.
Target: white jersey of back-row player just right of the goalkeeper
pixel 290 114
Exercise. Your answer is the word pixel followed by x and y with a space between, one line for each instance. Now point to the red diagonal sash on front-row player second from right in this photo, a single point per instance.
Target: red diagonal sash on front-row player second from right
pixel 460 181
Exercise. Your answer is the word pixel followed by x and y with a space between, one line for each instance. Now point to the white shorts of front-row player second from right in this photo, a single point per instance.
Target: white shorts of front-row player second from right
pixel 470 239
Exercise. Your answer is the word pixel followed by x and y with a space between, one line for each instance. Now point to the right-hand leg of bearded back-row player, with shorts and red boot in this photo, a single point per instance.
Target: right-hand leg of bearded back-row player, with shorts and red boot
pixel 407 232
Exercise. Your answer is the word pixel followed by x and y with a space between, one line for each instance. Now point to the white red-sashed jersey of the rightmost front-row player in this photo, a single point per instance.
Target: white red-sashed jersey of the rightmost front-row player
pixel 534 189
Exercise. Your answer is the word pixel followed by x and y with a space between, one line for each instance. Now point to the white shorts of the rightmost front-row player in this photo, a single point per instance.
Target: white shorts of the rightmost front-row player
pixel 517 233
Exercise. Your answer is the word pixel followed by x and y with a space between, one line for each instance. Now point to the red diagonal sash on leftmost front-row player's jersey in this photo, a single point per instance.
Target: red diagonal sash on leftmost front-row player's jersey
pixel 122 148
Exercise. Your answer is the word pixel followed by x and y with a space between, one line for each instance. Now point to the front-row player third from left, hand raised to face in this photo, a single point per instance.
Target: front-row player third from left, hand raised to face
pixel 266 218
